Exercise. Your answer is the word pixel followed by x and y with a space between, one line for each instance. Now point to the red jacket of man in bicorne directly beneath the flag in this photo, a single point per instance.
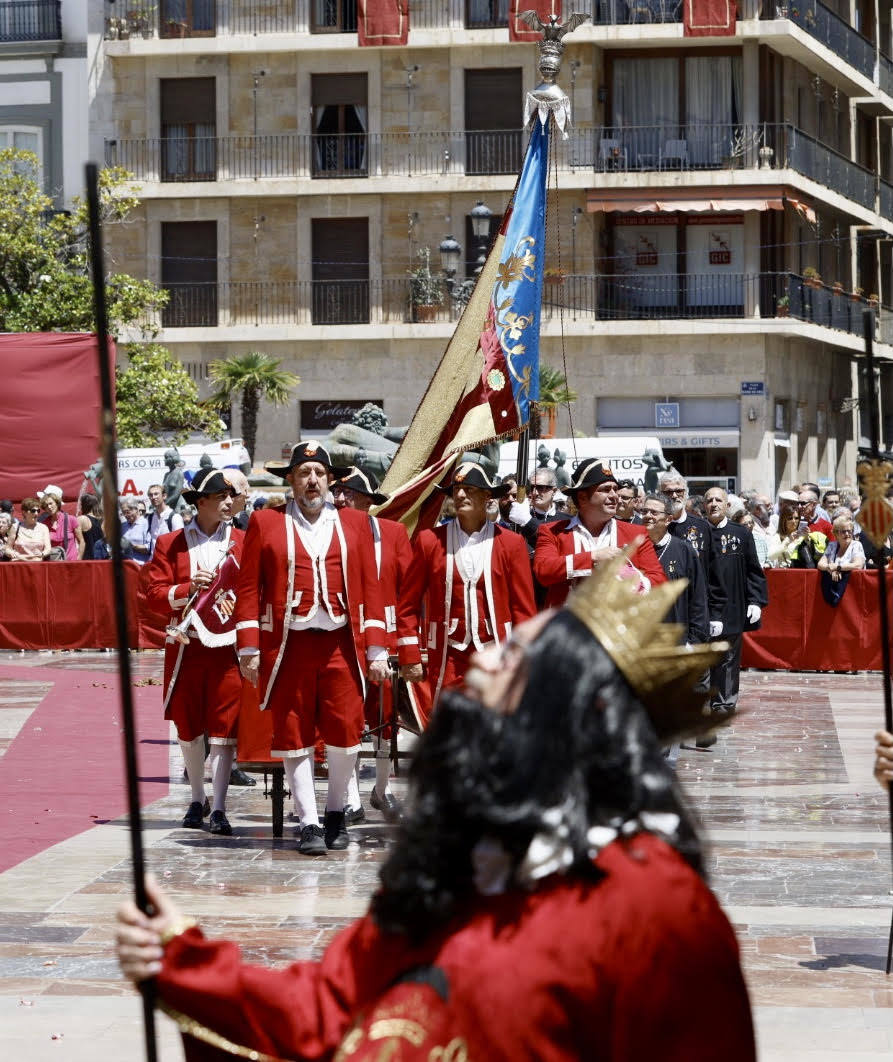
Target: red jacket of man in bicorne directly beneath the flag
pixel 508 592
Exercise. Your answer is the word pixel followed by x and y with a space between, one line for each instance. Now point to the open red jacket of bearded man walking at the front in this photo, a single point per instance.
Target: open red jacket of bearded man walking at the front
pixel 265 594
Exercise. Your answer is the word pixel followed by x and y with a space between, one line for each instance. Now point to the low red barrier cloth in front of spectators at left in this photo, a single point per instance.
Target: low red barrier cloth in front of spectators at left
pixel 70 605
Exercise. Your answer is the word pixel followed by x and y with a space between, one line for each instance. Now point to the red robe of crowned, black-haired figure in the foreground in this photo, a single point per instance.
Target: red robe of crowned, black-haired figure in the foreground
pixel 642 965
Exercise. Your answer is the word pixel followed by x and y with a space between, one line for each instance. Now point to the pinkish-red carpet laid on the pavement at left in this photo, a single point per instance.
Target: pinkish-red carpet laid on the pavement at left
pixel 65 770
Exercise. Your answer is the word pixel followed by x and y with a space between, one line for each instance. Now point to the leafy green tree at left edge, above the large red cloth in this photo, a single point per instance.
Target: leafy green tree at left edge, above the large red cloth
pixel 45 273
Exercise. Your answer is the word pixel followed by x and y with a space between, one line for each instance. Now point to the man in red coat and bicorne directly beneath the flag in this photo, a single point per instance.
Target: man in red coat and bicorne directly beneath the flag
pixel 473 579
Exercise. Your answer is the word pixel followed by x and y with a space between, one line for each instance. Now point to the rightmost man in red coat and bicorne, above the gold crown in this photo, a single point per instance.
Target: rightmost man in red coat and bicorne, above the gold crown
pixel 570 551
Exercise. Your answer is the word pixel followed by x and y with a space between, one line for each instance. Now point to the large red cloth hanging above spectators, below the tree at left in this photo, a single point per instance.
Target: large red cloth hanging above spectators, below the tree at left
pixel 50 412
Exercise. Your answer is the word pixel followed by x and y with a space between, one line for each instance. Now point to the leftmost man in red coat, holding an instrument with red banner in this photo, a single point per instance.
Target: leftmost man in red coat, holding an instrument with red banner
pixel 202 682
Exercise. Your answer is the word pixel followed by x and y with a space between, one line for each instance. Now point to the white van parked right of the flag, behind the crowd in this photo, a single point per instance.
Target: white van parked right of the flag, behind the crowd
pixel 639 458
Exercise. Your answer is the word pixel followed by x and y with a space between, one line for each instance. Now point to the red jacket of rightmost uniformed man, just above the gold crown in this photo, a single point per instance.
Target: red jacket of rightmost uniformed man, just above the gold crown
pixel 558 566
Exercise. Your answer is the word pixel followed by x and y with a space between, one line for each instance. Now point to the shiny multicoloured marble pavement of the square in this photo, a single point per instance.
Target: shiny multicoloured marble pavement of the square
pixel 800 860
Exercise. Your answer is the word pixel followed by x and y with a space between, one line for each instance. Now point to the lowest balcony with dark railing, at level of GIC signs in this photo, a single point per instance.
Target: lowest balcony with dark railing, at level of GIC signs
pixel 628 297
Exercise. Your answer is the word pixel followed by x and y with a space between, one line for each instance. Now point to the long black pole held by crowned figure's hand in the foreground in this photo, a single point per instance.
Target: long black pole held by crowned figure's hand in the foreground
pixel 113 524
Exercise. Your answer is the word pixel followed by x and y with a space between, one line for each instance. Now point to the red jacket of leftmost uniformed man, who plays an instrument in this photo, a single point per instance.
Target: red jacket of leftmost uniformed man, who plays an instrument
pixel 164 588
